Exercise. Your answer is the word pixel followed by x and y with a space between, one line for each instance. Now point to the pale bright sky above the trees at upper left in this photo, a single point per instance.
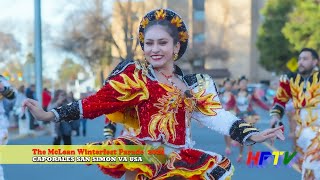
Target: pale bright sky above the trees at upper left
pixel 16 17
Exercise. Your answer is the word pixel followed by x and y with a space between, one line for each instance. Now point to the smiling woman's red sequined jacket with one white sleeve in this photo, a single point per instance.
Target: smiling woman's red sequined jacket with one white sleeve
pixel 157 111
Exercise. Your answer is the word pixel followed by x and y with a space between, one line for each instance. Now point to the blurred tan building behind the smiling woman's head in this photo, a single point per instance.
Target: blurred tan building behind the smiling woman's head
pixel 222 35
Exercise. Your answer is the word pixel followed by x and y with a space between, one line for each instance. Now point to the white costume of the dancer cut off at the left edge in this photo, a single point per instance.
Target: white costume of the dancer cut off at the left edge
pixel 7 93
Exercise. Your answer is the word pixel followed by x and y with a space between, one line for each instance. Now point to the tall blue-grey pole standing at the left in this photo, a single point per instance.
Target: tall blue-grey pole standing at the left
pixel 38 49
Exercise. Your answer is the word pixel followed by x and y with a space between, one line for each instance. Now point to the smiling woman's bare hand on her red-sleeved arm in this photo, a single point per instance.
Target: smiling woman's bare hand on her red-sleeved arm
pixel 36 110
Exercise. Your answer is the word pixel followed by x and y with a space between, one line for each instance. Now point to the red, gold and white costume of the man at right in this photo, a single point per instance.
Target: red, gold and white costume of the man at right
pixel 305 95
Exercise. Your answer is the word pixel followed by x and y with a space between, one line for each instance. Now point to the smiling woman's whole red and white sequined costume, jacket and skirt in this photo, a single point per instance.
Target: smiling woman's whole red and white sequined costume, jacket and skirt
pixel 157 113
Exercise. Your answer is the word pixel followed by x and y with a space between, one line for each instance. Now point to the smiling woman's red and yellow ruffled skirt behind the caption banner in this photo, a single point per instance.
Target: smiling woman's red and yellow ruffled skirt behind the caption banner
pixel 183 163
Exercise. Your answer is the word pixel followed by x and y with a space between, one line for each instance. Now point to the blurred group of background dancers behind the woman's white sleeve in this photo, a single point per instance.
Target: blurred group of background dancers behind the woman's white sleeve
pixel 242 98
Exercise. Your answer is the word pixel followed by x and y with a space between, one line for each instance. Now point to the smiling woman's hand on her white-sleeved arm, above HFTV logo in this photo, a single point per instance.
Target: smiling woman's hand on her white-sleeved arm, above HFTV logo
pixel 270 133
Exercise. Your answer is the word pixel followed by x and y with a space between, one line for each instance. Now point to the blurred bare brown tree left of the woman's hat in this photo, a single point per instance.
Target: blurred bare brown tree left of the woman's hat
pixel 88 34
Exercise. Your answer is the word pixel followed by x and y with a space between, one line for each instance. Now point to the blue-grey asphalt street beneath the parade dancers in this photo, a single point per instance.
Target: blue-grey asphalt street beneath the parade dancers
pixel 205 139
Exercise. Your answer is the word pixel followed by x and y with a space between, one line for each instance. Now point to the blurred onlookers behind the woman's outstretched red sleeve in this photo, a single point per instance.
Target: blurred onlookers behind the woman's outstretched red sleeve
pixel 24 122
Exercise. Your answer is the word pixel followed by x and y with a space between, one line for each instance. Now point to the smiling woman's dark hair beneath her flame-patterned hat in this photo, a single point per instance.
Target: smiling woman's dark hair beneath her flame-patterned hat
pixel 170 28
